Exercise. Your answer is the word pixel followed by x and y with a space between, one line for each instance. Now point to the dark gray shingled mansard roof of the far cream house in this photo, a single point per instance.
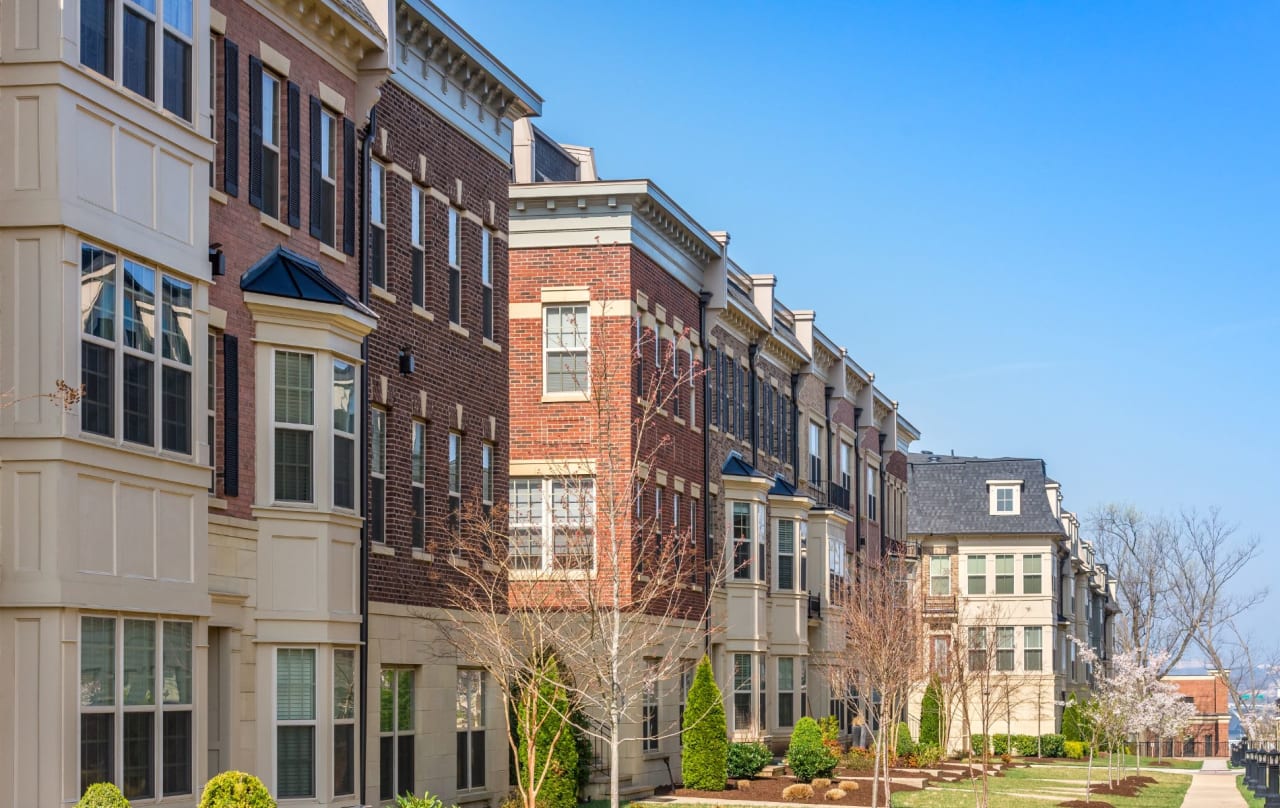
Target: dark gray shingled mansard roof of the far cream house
pixel 949 496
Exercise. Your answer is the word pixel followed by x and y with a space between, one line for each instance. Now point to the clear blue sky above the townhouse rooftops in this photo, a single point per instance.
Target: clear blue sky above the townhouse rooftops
pixel 1052 230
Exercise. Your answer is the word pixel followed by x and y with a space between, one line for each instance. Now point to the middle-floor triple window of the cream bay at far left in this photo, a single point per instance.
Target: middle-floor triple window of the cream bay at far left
pixel 120 343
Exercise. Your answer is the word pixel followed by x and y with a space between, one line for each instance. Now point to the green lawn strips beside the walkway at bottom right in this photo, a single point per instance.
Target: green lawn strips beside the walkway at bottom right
pixel 1066 782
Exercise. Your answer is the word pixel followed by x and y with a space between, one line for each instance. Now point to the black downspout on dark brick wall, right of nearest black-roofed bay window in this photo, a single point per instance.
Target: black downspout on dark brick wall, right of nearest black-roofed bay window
pixel 367 149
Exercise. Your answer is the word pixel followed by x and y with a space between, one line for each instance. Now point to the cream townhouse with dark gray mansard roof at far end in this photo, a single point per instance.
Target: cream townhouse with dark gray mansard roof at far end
pixel 1008 585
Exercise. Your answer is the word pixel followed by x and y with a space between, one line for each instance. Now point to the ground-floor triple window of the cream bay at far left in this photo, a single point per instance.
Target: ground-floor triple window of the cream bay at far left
pixel 136 696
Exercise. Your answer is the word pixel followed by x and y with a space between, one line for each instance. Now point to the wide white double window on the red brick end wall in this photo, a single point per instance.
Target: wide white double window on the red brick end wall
pixel 560 537
